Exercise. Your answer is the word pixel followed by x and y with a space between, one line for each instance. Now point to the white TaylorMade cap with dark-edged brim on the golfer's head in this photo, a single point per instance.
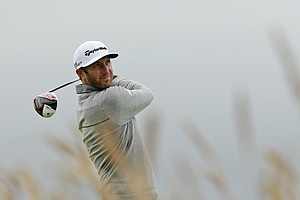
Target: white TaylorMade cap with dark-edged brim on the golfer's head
pixel 89 52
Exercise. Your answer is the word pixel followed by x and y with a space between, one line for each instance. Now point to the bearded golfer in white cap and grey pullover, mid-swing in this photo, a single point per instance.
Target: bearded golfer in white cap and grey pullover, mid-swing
pixel 106 111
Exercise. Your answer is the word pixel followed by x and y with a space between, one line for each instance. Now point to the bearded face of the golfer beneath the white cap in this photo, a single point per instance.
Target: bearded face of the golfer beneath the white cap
pixel 99 74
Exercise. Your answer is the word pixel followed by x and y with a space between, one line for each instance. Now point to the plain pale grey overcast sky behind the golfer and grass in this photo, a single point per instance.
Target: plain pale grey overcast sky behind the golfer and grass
pixel 195 55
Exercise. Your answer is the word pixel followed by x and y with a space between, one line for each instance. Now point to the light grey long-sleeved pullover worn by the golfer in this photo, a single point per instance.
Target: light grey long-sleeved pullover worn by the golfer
pixel 107 121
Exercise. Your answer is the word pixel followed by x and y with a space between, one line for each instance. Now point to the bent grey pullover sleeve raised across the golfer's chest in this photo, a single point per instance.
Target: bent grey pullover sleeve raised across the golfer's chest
pixel 125 99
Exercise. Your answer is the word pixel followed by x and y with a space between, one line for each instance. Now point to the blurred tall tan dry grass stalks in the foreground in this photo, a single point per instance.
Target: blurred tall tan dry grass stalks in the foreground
pixel 76 178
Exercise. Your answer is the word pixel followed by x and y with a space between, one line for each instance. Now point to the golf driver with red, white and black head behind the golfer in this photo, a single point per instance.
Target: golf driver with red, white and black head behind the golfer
pixel 45 104
